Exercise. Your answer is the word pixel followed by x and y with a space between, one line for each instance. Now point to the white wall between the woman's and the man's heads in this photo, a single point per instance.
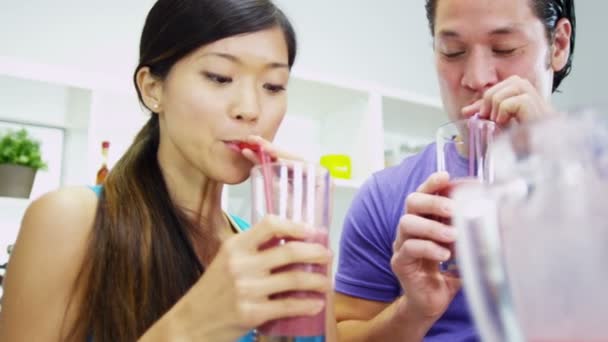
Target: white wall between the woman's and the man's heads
pixel 386 41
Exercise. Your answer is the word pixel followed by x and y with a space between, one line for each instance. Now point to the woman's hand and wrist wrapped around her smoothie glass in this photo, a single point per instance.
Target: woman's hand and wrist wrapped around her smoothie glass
pixel 233 296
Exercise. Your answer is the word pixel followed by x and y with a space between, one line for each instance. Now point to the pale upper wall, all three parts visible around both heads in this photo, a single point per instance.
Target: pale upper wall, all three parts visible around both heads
pixel 384 40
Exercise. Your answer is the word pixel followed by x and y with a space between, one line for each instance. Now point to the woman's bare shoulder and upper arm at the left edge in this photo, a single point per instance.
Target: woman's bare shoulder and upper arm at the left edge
pixel 47 257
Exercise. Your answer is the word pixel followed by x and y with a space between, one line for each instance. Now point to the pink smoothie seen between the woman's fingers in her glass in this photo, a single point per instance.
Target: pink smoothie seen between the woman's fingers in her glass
pixel 306 325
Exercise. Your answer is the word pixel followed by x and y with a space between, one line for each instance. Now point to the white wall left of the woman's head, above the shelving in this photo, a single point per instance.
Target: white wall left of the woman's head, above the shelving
pixel 99 36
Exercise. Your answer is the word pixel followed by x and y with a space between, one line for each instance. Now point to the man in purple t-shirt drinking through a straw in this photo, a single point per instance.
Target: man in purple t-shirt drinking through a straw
pixel 501 59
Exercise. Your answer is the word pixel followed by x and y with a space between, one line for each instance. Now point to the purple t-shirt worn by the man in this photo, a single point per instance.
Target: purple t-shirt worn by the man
pixel 369 230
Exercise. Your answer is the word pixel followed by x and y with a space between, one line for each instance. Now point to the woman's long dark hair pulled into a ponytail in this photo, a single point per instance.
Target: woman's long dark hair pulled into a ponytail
pixel 140 259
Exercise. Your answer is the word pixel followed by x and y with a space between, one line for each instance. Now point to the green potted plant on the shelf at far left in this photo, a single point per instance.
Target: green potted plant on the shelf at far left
pixel 20 159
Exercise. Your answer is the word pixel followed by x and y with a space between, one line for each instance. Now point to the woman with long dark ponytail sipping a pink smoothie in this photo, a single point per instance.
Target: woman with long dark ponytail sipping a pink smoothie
pixel 152 256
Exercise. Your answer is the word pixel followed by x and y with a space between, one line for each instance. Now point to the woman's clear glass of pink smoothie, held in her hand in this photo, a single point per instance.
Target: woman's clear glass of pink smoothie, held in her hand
pixel 300 192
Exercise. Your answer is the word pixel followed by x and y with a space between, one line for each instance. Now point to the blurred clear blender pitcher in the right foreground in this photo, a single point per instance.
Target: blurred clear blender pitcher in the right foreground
pixel 533 245
